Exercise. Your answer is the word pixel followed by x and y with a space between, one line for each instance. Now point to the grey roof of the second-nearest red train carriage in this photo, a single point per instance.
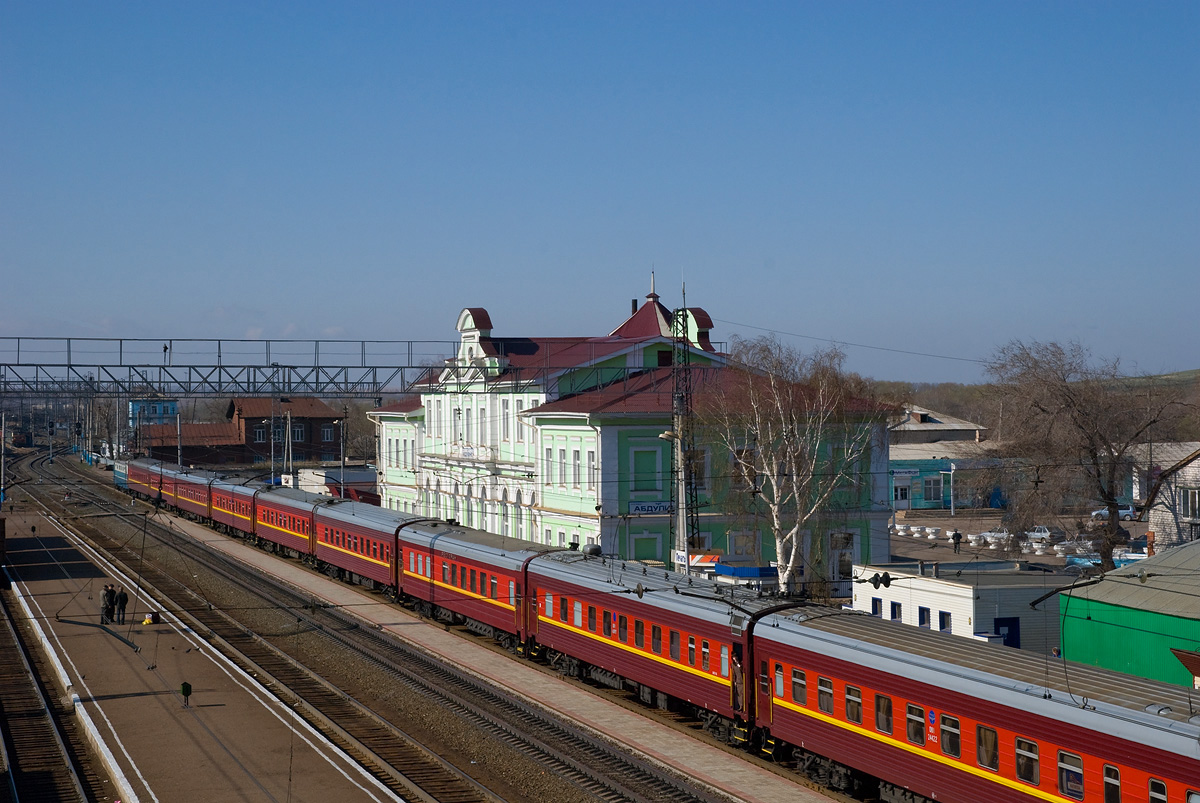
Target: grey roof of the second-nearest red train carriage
pixel 680 594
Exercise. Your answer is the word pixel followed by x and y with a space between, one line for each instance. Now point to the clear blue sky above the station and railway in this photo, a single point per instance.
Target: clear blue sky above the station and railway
pixel 925 177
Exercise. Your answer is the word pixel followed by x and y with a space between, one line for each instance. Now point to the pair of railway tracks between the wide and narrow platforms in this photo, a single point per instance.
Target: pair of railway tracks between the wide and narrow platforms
pixel 602 770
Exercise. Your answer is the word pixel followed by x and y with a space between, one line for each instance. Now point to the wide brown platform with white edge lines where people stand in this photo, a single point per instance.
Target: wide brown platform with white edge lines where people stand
pixel 233 742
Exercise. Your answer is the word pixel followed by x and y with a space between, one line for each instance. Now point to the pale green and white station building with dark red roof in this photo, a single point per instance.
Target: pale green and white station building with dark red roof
pixel 565 441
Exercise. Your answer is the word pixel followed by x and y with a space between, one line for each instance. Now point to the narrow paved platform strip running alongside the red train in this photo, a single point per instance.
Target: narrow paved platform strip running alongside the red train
pixel 739 778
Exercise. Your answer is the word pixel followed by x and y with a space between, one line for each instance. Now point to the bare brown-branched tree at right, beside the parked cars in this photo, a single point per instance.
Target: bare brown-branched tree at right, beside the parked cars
pixel 1070 423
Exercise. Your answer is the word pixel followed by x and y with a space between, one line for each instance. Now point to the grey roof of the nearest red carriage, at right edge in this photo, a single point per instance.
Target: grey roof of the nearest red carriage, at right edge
pixel 1060 690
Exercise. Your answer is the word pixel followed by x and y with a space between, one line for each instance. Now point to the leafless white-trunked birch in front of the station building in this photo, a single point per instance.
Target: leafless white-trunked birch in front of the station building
pixel 794 434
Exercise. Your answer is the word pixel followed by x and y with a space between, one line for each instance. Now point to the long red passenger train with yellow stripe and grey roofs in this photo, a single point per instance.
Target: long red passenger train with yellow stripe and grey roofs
pixel 871 708
